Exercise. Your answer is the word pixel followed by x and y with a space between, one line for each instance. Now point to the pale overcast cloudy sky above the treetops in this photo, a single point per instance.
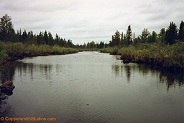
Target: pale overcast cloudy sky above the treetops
pixel 92 20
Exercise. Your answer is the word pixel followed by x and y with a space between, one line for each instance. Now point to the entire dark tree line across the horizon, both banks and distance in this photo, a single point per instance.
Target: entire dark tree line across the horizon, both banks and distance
pixel 166 36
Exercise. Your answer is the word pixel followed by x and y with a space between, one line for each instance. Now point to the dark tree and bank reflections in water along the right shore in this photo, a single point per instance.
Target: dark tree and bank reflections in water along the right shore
pixel 165 76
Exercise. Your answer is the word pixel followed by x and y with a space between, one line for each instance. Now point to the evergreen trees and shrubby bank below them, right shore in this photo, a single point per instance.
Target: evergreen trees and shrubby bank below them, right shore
pixel 165 50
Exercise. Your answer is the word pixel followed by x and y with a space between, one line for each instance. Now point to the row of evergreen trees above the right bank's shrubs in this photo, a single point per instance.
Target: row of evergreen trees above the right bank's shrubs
pixel 165 36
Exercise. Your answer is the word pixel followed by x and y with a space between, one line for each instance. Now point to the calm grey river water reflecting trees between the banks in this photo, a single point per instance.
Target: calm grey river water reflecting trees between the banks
pixel 91 87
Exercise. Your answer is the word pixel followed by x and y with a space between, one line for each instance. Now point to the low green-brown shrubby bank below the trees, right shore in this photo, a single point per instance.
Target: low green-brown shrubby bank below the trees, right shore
pixel 166 56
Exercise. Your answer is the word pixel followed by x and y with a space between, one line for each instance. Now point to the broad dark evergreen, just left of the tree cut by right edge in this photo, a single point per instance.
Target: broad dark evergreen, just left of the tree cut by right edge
pixel 171 34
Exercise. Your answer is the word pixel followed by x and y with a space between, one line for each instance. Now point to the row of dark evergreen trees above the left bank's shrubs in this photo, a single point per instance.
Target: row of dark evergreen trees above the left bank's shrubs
pixel 8 34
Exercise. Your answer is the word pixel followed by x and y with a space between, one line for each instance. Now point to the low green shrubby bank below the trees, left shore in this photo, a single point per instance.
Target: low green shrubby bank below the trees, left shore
pixel 14 51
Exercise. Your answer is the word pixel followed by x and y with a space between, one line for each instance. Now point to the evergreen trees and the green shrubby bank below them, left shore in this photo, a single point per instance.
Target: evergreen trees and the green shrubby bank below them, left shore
pixel 18 45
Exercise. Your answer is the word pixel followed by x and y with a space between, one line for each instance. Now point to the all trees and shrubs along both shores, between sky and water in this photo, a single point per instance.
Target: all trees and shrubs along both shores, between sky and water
pixel 164 49
